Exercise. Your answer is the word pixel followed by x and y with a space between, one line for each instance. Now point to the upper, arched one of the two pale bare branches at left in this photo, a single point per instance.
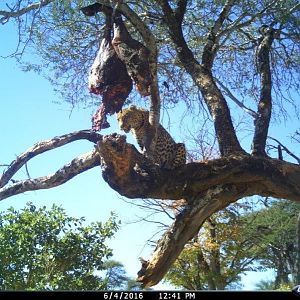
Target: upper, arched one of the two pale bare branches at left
pixel 44 146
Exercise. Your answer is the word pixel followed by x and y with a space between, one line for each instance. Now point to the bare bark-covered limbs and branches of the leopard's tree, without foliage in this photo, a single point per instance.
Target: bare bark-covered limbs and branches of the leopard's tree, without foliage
pixel 206 186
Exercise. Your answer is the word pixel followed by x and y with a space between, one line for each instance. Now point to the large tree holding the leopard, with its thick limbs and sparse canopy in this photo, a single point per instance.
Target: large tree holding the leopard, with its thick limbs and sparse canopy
pixel 227 53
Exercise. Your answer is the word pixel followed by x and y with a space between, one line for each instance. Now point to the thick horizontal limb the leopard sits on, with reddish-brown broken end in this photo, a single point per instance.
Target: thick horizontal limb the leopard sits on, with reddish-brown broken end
pixel 266 176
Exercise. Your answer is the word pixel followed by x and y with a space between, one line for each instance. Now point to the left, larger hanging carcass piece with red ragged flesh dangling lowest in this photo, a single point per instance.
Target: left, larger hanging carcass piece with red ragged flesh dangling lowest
pixel 108 75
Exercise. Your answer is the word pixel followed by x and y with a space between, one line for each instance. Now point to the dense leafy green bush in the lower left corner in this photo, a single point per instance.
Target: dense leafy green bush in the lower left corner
pixel 44 249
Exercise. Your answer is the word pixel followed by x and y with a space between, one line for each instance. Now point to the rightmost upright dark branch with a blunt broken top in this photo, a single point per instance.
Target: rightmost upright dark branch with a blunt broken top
pixel 264 110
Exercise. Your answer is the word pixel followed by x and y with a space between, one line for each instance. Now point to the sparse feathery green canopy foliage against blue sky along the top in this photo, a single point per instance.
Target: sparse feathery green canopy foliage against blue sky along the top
pixel 66 42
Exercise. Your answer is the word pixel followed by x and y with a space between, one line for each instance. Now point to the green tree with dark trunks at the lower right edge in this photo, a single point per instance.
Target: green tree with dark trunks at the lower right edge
pixel 275 229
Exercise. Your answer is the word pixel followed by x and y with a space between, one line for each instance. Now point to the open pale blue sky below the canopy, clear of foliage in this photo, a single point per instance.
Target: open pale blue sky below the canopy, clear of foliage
pixel 28 114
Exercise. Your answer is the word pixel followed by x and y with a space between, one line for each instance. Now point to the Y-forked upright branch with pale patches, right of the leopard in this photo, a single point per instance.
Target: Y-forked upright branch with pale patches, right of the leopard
pixel 202 75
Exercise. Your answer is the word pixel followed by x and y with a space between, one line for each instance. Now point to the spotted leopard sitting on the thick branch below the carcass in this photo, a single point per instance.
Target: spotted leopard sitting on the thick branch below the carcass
pixel 167 154
